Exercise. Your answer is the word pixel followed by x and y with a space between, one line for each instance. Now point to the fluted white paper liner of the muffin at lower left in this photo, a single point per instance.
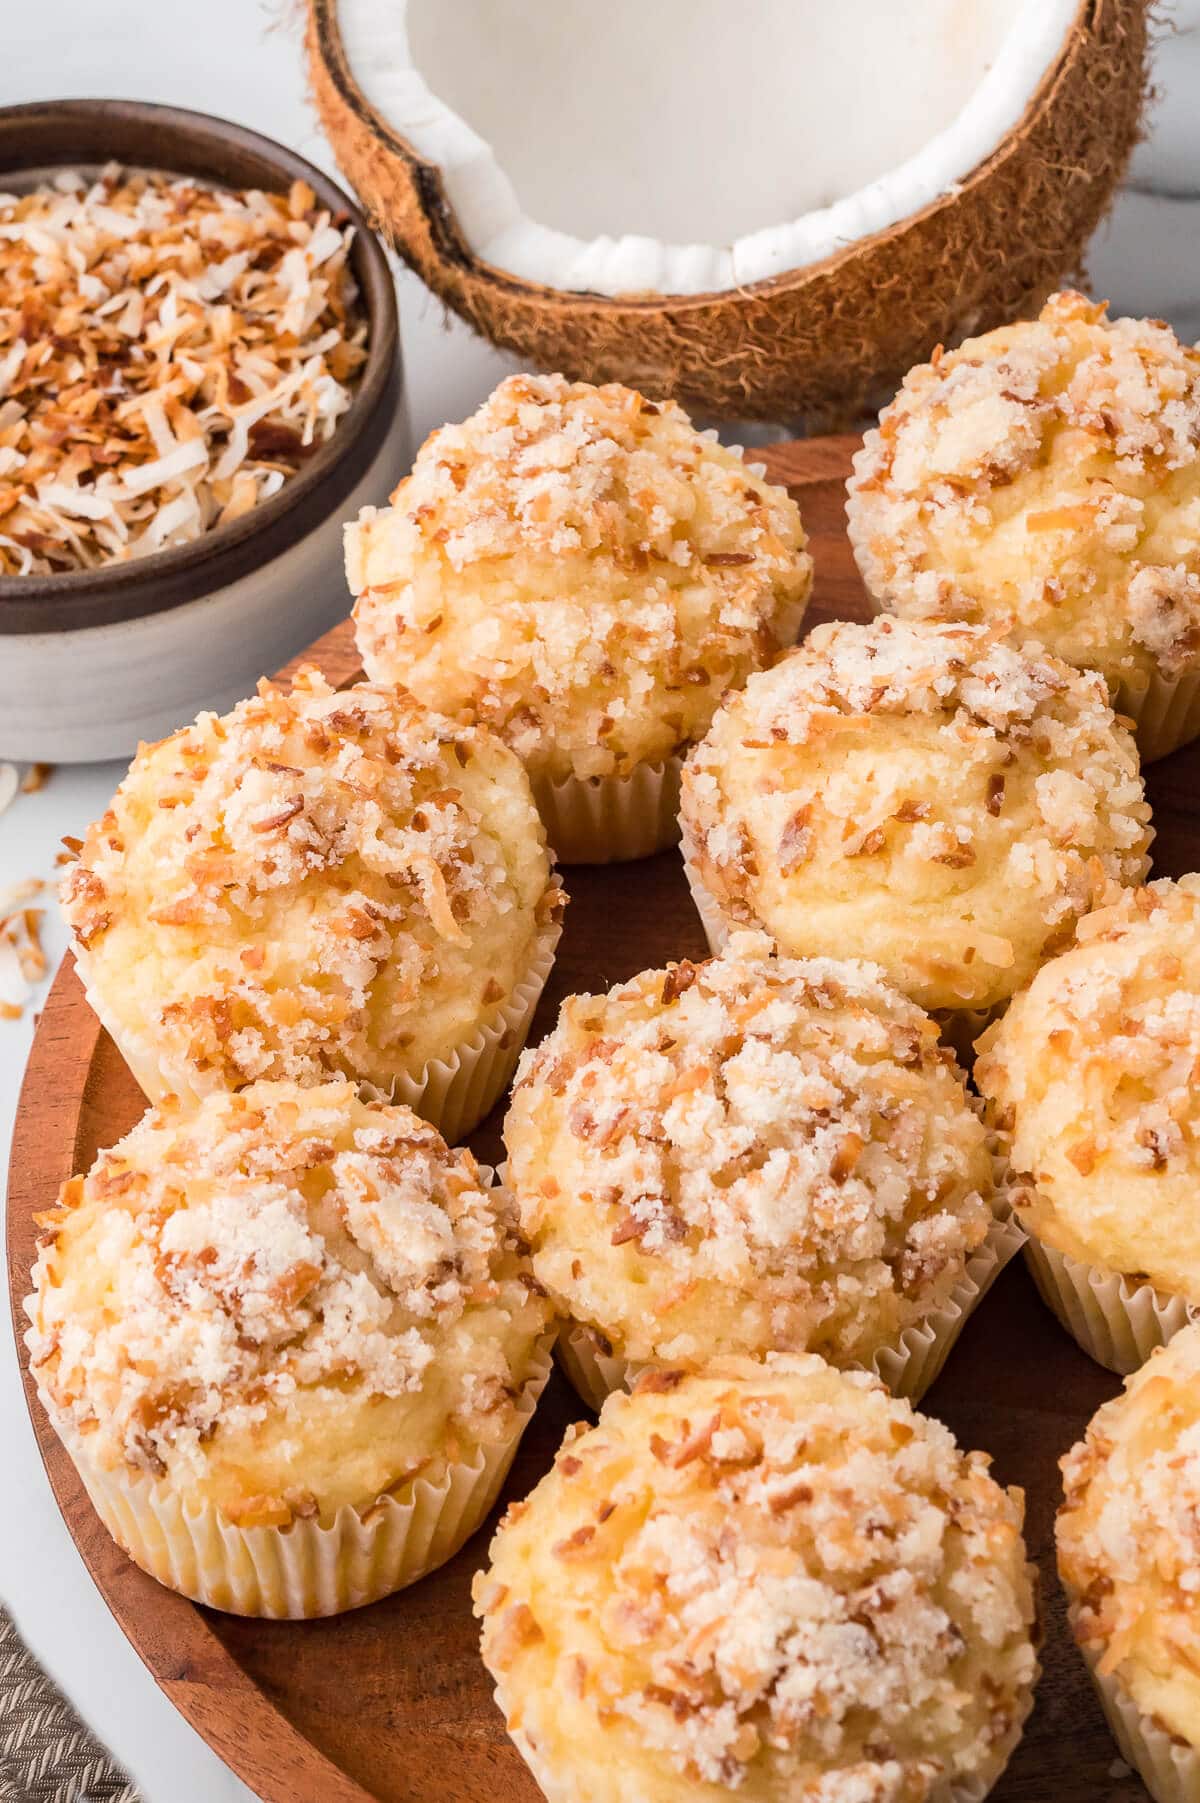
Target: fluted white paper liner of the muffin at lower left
pixel 309 1568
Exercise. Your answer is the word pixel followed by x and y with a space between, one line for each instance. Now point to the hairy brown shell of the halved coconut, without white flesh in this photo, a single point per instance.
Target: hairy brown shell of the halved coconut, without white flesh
pixel 819 343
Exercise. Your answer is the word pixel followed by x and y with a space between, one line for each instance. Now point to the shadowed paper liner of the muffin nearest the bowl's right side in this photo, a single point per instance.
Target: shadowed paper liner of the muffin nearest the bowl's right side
pixel 612 819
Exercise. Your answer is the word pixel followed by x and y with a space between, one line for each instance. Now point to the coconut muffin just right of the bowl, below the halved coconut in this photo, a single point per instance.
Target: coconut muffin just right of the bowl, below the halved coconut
pixel 586 574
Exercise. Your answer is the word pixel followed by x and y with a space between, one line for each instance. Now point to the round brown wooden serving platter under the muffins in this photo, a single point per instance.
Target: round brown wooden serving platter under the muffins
pixel 392 1703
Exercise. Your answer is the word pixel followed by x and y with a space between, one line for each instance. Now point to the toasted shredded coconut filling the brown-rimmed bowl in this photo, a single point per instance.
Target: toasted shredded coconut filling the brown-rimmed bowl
pixel 170 354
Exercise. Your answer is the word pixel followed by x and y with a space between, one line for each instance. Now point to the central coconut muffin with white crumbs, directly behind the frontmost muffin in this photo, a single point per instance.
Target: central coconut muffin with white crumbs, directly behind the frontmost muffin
pixel 754 1155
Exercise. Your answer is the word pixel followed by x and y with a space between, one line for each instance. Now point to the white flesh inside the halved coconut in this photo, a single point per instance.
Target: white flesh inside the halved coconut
pixel 691 147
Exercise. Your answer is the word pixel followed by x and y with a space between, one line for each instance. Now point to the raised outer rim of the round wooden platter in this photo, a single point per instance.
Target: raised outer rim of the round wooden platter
pixel 172 1636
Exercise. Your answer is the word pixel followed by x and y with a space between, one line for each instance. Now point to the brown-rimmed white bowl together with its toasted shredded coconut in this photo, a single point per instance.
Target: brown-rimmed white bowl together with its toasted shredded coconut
pixel 199 383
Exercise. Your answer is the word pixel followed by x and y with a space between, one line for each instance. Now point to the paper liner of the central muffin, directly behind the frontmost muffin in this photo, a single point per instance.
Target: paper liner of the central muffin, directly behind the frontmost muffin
pixel 909 1369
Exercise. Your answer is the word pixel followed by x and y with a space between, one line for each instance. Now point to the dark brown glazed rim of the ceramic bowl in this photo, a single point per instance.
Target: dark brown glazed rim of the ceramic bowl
pixel 50 136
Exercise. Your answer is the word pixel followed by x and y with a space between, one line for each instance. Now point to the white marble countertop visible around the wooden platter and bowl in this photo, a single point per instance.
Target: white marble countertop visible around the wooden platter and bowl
pixel 241 59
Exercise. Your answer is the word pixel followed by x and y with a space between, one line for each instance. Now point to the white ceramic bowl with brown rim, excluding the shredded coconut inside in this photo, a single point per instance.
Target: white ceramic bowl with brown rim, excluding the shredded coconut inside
pixel 95 661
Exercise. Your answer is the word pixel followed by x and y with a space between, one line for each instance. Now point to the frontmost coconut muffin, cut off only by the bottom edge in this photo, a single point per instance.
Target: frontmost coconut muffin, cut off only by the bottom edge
pixel 768 1580
